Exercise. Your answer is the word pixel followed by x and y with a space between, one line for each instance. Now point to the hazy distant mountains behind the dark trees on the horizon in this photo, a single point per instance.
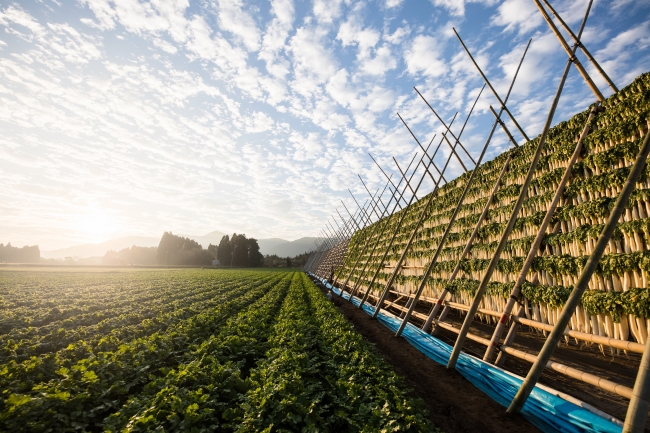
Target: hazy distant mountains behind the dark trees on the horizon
pixel 281 247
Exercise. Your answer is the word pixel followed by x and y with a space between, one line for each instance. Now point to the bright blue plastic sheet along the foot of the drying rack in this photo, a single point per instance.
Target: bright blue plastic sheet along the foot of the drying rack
pixel 546 411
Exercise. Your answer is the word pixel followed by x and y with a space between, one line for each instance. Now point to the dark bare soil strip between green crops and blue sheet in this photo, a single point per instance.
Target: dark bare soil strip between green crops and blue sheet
pixel 454 404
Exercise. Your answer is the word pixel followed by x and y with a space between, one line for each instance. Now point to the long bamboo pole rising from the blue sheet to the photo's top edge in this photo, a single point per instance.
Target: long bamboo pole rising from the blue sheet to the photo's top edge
pixel 511 223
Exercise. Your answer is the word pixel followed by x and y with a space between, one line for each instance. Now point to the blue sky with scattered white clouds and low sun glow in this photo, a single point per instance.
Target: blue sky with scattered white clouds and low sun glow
pixel 135 117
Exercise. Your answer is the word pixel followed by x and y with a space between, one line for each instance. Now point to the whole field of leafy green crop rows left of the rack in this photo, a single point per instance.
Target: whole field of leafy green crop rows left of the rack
pixel 188 350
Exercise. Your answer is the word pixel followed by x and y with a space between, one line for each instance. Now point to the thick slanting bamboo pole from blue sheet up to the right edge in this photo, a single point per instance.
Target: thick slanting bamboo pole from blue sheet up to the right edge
pixel 583 280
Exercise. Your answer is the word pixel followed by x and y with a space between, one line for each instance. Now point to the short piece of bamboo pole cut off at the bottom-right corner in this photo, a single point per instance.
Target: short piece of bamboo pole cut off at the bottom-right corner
pixel 637 410
